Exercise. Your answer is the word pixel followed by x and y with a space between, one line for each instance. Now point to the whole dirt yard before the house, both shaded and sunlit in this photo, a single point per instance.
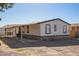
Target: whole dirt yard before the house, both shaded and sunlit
pixel 39 48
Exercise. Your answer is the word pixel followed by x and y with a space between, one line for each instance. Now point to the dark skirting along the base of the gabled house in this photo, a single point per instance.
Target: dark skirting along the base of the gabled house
pixel 46 37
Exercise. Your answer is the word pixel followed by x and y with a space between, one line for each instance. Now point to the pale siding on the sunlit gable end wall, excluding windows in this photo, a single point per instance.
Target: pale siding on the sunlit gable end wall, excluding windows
pixel 59 28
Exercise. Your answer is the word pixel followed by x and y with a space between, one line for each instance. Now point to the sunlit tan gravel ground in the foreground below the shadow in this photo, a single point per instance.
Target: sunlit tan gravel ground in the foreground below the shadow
pixel 50 51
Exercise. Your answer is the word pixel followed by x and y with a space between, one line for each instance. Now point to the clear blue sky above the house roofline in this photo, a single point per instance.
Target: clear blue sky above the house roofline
pixel 27 13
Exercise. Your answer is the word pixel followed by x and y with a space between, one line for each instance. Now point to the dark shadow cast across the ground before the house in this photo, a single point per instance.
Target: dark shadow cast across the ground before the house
pixel 12 43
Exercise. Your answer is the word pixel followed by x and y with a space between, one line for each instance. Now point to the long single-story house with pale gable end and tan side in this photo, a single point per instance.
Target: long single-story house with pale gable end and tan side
pixel 54 28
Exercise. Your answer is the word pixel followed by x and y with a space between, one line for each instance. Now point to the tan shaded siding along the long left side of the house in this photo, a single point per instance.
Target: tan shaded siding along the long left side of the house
pixel 33 30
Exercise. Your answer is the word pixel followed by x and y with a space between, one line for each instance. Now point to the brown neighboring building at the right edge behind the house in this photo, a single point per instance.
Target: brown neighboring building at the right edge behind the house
pixel 74 30
